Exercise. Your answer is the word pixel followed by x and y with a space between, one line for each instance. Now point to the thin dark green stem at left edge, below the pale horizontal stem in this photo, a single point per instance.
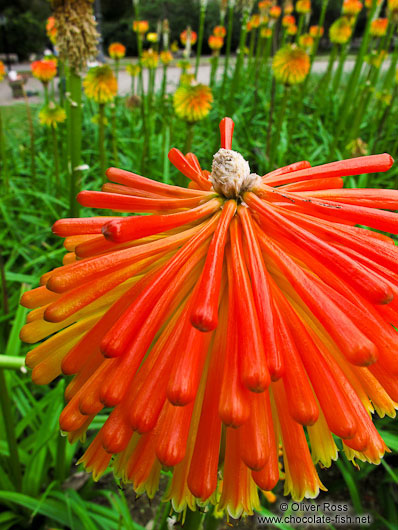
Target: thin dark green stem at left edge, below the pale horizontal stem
pixel 6 407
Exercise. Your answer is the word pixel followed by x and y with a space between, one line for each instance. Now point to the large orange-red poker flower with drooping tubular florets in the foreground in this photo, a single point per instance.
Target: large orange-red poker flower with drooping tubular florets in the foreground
pixel 246 308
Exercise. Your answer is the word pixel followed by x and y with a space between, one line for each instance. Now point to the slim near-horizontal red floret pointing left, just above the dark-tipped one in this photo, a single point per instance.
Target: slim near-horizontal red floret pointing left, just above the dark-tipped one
pixel 127 203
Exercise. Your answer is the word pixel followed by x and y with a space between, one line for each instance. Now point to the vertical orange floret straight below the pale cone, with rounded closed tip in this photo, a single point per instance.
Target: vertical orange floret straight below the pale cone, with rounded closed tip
pixel 234 405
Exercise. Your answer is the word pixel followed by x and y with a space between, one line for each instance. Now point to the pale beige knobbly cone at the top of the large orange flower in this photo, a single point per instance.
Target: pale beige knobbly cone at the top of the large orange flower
pixel 231 175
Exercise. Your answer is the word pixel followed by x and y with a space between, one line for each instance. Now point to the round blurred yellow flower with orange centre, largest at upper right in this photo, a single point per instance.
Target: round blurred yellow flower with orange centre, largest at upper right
pixel 290 65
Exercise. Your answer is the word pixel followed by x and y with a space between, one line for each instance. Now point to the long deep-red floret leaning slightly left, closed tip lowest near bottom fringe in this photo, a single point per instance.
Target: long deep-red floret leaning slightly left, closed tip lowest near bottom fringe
pixel 202 478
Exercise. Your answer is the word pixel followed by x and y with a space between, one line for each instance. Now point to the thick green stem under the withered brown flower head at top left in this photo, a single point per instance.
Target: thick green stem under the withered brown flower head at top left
pixel 75 84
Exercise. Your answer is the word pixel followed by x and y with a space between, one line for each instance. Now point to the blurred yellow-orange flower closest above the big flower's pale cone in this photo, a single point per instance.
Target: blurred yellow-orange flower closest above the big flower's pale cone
pixel 192 102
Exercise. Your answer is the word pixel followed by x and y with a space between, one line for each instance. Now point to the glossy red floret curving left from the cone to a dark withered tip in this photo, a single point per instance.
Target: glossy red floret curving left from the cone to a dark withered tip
pixel 129 228
